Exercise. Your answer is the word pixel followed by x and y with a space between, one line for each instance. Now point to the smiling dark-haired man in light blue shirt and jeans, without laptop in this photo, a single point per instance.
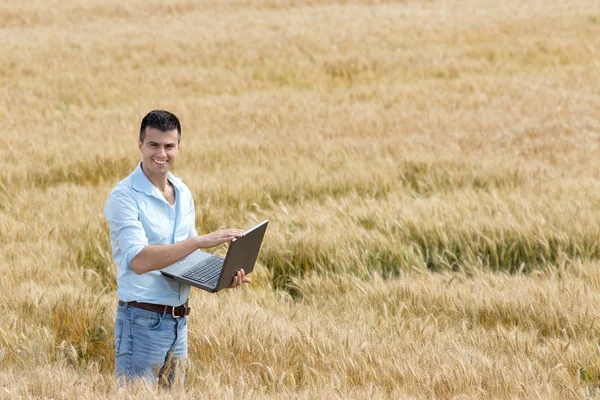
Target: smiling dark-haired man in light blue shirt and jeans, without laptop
pixel 152 225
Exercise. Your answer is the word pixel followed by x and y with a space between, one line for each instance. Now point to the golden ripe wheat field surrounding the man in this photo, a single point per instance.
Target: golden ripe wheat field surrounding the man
pixel 431 171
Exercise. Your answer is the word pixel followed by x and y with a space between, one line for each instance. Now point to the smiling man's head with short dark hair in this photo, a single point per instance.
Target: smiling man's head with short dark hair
pixel 160 135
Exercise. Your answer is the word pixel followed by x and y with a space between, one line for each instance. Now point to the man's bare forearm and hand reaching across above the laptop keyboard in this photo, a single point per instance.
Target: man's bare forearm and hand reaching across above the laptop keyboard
pixel 153 257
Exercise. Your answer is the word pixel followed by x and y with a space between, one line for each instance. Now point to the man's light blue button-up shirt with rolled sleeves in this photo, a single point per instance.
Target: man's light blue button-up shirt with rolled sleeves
pixel 138 215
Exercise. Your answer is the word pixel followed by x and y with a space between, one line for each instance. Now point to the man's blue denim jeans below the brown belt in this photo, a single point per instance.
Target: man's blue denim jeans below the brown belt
pixel 150 345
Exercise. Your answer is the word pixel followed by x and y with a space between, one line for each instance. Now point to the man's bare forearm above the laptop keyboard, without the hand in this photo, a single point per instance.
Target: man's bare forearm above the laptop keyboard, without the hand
pixel 155 257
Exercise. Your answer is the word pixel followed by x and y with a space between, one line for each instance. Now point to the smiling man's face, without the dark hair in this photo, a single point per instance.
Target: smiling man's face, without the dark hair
pixel 159 150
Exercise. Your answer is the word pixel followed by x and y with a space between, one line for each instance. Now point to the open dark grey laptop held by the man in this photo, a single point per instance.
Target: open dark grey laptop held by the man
pixel 213 273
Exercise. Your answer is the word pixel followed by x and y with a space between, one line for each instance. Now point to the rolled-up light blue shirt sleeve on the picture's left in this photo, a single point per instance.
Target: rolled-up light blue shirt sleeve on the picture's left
pixel 122 214
